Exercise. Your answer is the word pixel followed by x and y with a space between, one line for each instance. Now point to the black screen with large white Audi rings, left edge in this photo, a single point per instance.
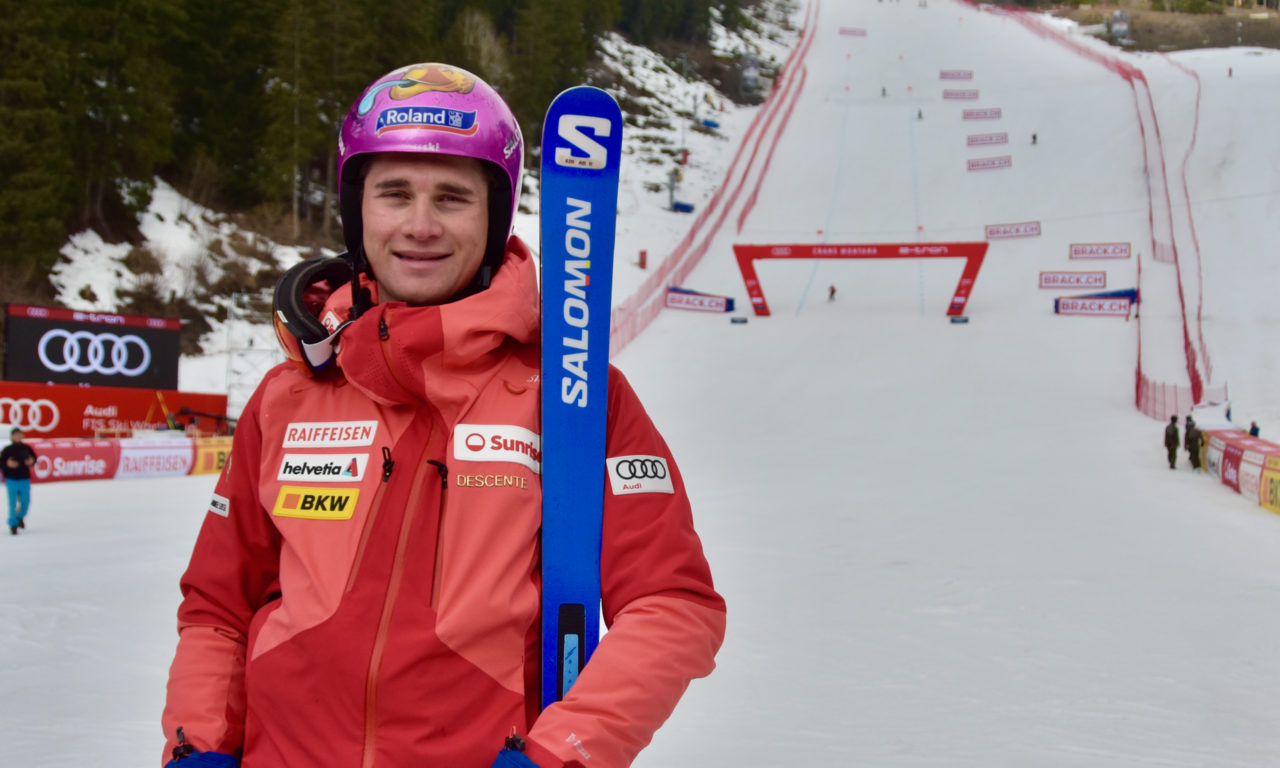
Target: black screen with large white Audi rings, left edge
pixel 70 348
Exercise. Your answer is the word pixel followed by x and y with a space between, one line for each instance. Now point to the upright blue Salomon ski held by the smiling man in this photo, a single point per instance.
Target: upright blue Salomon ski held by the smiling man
pixel 580 159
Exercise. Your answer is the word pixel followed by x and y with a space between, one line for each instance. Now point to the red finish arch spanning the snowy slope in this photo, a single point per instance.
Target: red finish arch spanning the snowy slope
pixel 973 255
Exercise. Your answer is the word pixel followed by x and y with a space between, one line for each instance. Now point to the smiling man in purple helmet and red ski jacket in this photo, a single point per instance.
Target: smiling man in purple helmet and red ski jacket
pixel 365 588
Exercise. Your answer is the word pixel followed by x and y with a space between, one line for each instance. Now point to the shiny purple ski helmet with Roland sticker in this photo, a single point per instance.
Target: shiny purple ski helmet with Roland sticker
pixel 438 109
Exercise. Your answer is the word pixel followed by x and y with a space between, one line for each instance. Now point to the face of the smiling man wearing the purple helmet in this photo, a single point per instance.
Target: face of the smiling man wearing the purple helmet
pixel 427 222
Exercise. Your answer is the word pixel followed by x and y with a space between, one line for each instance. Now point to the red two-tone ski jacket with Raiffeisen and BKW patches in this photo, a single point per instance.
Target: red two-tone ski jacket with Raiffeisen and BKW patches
pixel 365 587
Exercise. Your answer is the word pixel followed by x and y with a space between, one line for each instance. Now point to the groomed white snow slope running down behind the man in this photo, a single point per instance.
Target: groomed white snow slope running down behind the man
pixel 941 546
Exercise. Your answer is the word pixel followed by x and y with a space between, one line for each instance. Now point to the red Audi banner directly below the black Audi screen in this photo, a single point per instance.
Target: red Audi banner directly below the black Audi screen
pixel 68 412
